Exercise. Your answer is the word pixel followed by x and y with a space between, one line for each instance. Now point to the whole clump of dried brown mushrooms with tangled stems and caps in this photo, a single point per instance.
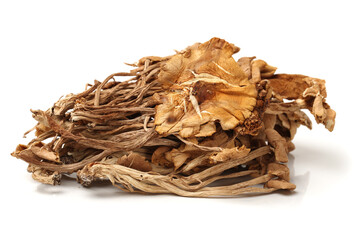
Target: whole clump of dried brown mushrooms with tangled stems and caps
pixel 180 124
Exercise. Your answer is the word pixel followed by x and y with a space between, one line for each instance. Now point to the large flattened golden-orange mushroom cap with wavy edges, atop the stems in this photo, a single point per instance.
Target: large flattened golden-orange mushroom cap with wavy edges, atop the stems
pixel 204 84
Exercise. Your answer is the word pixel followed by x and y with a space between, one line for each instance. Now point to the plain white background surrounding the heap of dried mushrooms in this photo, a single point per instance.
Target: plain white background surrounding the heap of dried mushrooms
pixel 52 48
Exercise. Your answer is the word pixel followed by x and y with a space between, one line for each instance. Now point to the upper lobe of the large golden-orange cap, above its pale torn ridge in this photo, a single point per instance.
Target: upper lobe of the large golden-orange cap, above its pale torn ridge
pixel 213 57
